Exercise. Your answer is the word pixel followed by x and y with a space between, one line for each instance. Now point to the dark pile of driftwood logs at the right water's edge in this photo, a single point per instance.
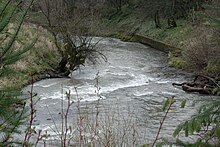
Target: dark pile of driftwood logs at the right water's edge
pixel 201 84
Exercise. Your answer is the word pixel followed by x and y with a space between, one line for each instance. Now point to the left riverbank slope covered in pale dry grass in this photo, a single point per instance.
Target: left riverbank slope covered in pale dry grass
pixel 42 56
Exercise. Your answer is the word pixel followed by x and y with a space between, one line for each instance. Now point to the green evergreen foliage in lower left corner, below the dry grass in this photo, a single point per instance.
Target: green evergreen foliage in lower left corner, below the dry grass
pixel 10 116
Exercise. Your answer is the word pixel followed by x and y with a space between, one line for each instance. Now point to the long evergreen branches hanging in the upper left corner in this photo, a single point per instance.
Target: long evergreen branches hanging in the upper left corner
pixel 9 54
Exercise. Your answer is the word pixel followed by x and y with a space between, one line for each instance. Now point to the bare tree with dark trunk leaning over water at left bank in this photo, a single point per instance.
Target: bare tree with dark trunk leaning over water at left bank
pixel 71 23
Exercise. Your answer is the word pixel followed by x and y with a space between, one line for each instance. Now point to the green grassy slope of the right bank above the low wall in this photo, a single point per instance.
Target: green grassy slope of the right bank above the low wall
pixel 196 34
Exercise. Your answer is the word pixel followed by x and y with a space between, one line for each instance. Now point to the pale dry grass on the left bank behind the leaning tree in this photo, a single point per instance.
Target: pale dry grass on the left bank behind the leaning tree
pixel 34 59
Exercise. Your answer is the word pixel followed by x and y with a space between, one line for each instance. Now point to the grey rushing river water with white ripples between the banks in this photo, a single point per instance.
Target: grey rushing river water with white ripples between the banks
pixel 134 83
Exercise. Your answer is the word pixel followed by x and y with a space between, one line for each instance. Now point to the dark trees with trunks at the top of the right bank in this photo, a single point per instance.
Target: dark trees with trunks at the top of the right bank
pixel 168 9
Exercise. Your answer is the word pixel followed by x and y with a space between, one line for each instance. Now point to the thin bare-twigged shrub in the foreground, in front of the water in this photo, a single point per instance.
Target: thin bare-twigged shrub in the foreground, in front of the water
pixel 92 126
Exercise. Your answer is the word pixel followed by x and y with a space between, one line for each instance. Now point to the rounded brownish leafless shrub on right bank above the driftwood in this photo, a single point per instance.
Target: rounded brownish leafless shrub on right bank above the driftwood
pixel 204 55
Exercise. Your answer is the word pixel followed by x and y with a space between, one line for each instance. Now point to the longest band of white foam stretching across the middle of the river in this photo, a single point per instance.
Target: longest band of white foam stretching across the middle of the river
pixel 88 92
